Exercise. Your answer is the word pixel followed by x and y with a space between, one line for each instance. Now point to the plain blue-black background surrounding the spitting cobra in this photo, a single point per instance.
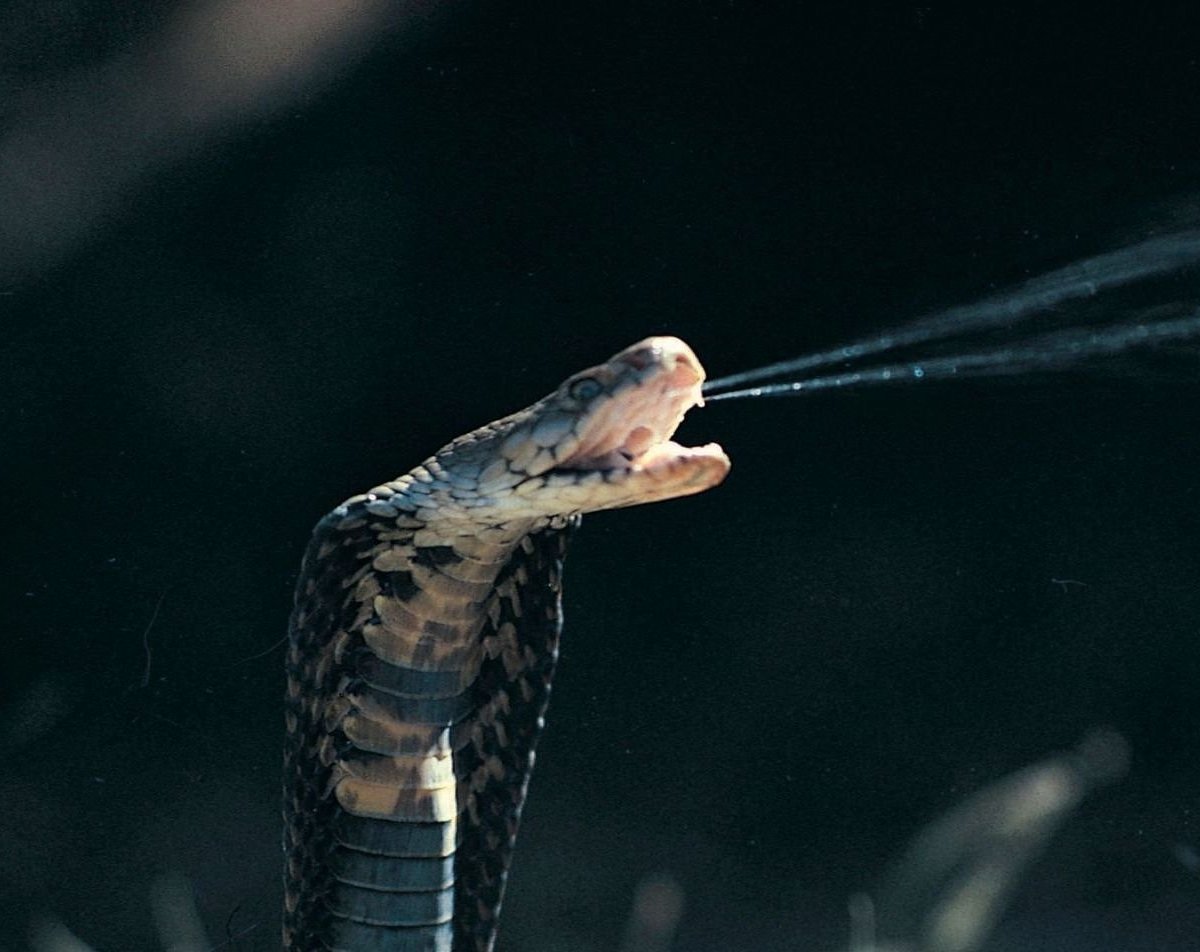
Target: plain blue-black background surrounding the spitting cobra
pixel 765 691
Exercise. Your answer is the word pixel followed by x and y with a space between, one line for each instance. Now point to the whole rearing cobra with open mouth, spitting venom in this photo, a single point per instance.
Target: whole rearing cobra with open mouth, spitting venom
pixel 422 648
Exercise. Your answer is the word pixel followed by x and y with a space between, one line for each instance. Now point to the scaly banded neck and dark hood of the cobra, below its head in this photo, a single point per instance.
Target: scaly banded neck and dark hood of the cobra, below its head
pixel 404 626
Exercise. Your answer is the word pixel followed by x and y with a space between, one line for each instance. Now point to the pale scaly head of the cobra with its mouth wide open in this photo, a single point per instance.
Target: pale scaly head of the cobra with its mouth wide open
pixel 601 441
